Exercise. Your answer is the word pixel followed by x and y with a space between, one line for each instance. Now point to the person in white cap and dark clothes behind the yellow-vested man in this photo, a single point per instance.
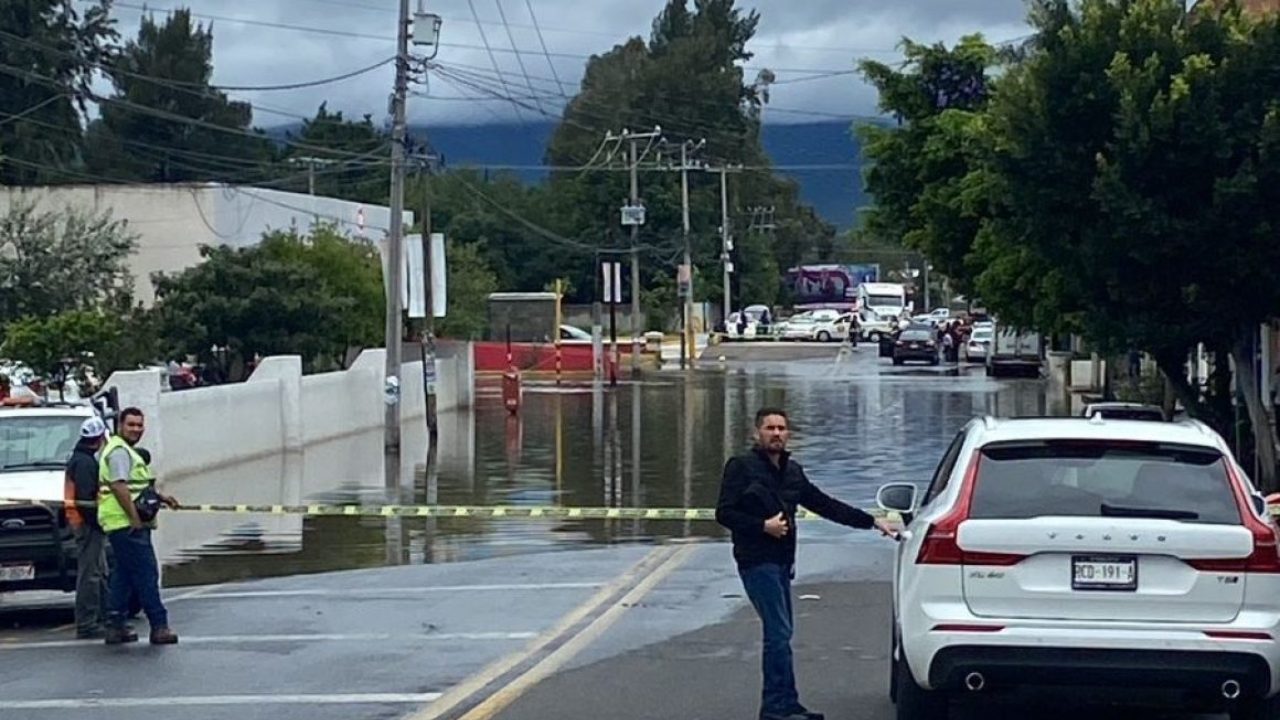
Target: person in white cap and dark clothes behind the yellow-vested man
pixel 92 557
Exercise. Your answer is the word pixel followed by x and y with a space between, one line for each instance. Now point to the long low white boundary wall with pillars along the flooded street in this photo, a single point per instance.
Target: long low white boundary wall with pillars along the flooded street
pixel 280 412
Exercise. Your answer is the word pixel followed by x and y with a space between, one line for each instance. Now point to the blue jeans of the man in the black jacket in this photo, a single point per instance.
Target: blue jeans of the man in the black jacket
pixel 769 586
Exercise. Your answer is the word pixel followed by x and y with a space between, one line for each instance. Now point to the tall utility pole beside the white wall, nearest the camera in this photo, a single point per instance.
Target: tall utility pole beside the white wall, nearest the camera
pixel 395 256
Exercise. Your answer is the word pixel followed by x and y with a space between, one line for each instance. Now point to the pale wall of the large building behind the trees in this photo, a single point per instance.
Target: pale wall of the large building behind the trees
pixel 173 221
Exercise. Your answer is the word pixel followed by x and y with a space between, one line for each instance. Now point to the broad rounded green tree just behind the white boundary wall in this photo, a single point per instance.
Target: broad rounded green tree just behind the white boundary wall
pixel 313 297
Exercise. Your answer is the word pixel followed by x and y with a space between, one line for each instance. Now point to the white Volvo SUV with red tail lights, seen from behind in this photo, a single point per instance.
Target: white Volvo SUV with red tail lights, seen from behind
pixel 1087 553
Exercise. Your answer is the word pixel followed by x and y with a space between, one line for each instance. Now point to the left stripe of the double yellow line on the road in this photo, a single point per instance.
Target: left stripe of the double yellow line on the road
pixel 464 691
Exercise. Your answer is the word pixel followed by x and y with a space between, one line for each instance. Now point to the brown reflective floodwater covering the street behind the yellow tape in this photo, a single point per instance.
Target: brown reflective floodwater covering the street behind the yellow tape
pixel 660 443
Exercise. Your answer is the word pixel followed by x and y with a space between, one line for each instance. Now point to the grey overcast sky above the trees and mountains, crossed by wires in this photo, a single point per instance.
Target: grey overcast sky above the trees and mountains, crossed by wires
pixel 803 42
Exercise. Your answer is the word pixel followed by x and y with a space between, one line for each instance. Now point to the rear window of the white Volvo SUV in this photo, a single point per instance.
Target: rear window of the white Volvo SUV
pixel 1092 480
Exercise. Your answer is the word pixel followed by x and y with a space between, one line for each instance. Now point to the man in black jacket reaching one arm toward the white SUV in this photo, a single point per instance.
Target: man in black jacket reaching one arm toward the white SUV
pixel 758 502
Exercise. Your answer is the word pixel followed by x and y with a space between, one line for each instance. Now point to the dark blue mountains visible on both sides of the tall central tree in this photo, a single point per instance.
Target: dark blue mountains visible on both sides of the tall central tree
pixel 835 190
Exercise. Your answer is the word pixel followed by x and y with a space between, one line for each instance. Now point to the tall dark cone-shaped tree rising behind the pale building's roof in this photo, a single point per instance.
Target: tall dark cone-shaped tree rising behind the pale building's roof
pixel 170 69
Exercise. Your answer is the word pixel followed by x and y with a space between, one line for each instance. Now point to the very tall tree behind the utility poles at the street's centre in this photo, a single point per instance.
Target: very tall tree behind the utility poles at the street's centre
pixel 688 79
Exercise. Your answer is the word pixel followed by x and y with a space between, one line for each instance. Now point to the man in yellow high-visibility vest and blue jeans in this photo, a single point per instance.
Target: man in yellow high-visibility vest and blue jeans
pixel 129 503
